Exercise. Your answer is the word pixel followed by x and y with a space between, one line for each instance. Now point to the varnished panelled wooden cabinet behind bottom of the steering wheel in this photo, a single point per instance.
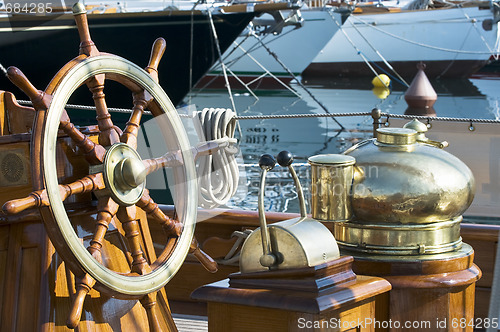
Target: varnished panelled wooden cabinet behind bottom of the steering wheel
pixel 36 286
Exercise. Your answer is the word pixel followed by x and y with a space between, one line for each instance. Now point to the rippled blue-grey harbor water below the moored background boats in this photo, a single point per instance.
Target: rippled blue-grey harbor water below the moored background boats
pixel 477 97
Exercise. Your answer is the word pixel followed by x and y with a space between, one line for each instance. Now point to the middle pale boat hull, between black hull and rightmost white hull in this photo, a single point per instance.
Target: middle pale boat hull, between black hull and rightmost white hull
pixel 269 54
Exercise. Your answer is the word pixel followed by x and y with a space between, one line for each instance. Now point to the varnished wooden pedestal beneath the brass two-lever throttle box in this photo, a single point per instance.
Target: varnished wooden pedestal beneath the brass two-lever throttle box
pixel 328 297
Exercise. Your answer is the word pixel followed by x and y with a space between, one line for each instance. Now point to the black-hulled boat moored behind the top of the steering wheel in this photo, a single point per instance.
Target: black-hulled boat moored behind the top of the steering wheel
pixel 127 28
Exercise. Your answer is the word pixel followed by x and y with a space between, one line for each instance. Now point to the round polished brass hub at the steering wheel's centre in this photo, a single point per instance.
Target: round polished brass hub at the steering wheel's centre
pixel 124 174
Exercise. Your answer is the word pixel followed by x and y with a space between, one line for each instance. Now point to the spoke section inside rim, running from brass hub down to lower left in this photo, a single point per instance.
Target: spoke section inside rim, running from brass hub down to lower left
pixel 106 210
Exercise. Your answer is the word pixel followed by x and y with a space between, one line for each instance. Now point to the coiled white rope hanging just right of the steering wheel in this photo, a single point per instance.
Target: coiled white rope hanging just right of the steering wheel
pixel 217 173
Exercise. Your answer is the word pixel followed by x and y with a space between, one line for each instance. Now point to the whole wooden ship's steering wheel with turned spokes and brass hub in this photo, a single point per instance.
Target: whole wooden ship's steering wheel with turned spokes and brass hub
pixel 116 177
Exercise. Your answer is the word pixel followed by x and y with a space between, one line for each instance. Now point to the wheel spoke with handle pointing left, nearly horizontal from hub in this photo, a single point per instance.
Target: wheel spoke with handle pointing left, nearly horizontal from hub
pixel 39 198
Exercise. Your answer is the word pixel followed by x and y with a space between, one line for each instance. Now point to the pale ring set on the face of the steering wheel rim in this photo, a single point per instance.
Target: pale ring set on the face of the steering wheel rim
pixel 124 284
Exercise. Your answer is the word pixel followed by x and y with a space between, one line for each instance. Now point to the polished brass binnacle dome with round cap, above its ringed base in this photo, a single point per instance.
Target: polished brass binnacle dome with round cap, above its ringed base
pixel 408 182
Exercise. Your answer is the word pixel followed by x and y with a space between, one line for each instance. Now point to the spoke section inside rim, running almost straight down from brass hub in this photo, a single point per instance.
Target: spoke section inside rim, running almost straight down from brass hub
pixel 129 219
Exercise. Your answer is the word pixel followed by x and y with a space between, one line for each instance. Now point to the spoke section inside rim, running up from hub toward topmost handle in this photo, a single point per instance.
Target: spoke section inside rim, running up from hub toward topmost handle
pixel 109 133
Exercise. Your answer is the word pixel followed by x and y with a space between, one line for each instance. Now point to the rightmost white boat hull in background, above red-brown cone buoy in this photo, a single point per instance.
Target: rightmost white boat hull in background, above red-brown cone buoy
pixel 453 42
